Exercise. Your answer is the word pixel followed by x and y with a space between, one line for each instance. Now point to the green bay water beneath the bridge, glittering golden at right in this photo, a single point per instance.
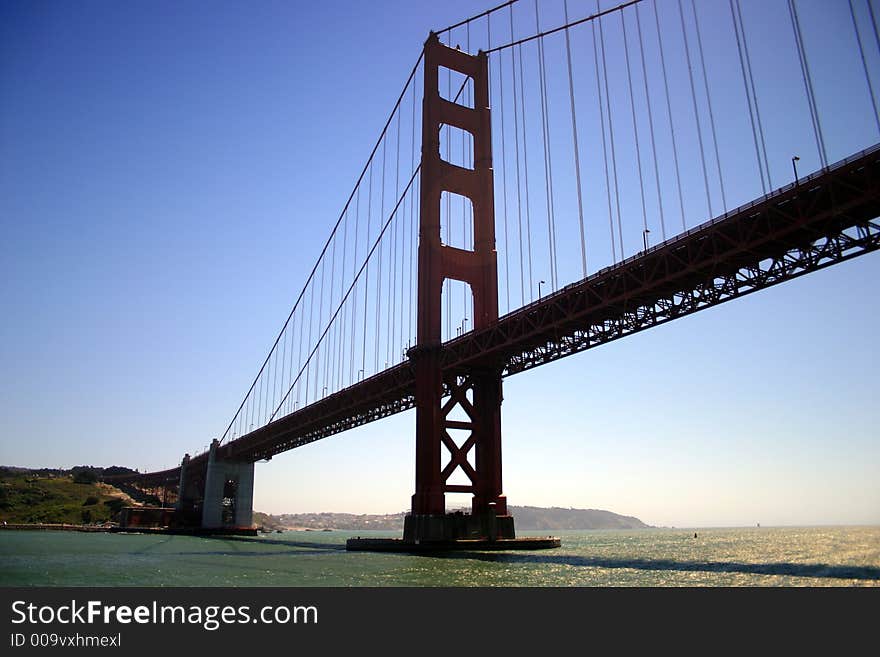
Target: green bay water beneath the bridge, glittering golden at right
pixel 759 556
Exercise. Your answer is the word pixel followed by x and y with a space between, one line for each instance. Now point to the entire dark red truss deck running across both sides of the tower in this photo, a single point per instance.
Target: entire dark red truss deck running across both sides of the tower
pixel 826 218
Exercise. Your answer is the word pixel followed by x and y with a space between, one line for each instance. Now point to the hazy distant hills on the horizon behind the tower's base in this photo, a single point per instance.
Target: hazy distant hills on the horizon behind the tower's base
pixel 527 518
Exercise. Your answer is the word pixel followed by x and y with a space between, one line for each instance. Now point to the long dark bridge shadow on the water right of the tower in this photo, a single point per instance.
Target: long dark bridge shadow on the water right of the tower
pixel 818 570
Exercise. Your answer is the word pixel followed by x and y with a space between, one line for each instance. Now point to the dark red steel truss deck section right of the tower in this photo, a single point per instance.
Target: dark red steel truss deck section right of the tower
pixel 829 218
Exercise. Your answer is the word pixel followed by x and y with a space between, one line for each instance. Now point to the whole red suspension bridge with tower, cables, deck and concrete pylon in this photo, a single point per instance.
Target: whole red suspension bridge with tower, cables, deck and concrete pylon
pixel 551 178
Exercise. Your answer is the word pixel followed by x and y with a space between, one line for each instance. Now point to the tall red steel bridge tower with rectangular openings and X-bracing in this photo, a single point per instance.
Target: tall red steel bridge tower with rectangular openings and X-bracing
pixel 476 391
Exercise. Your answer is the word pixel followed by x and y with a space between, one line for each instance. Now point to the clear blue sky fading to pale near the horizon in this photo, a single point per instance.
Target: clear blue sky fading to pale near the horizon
pixel 170 171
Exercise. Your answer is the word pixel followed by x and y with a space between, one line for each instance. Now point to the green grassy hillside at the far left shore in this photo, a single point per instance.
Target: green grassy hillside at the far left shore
pixel 57 496
